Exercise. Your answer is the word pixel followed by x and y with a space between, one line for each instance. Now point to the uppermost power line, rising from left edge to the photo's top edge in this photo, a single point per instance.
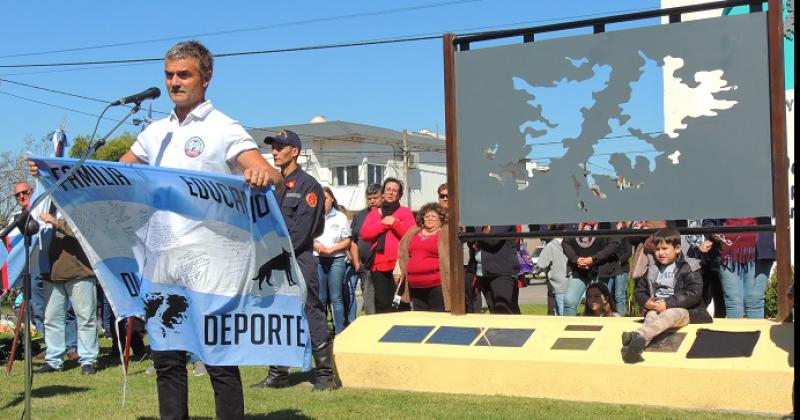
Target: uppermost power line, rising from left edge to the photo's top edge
pixel 252 29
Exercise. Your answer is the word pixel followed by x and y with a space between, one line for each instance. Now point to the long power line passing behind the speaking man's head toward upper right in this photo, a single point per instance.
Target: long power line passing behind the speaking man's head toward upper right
pixel 383 41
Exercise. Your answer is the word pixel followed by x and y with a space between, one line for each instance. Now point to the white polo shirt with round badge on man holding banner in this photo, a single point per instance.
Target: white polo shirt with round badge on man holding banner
pixel 207 140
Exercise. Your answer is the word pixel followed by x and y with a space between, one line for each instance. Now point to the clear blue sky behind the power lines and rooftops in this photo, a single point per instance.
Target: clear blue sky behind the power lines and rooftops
pixel 398 86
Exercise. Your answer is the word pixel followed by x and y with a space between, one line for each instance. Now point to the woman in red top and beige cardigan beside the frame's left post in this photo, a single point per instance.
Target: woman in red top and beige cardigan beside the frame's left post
pixel 424 261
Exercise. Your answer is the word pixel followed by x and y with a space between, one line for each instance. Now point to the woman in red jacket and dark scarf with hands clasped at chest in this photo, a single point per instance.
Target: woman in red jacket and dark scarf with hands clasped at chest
pixel 384 227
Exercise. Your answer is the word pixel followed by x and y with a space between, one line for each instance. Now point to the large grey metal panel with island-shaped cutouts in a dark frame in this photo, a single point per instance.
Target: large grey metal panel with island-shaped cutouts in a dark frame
pixel 606 119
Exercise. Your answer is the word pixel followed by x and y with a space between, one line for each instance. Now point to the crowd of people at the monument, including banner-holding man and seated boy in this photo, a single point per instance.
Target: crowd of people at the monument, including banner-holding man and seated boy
pixel 398 259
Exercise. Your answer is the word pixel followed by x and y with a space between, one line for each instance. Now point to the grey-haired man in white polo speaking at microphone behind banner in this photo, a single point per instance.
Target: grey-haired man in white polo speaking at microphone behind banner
pixel 197 136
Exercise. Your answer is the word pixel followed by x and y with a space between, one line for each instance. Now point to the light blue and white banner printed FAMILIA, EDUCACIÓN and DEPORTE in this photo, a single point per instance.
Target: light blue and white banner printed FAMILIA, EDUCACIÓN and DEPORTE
pixel 203 258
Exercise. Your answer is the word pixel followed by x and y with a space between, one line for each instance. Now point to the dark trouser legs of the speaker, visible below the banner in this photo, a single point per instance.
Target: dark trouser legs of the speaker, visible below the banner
pixel 173 387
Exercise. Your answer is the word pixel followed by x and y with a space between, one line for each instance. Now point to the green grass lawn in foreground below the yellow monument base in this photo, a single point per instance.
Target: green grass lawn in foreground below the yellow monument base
pixel 68 395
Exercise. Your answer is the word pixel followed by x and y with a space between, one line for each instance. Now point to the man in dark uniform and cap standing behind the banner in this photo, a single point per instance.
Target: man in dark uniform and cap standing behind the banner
pixel 300 200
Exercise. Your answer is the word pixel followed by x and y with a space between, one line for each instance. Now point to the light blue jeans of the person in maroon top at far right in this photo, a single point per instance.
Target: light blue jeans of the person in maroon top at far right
pixel 745 286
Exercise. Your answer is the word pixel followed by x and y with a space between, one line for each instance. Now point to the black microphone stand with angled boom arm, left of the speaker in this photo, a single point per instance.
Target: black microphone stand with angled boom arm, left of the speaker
pixel 29 227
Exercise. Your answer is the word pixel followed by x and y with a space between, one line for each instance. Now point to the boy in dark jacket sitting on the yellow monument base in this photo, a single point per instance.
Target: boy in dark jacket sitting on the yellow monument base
pixel 671 292
